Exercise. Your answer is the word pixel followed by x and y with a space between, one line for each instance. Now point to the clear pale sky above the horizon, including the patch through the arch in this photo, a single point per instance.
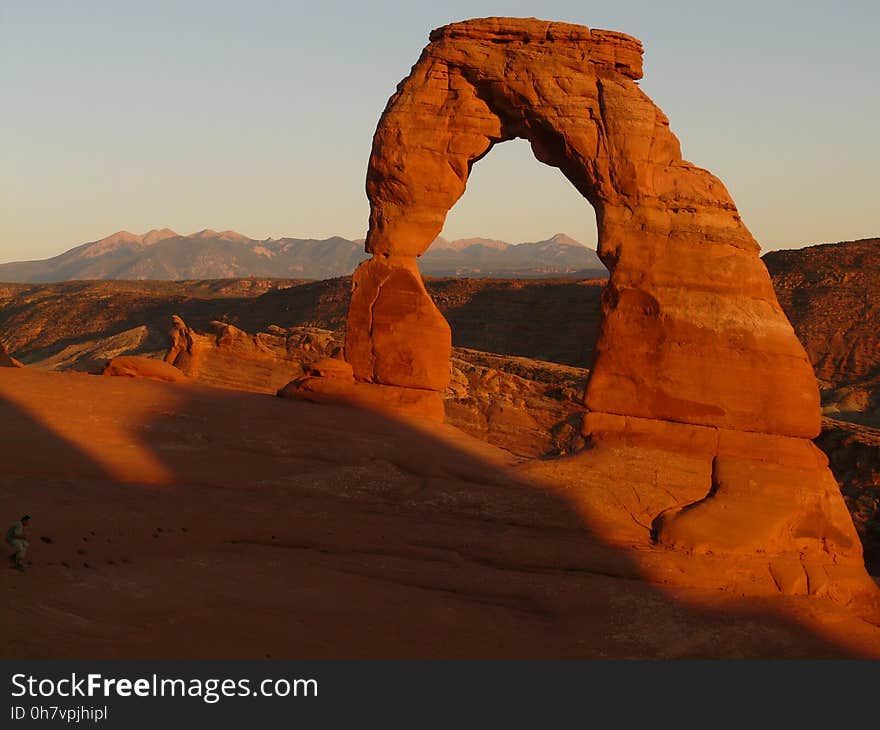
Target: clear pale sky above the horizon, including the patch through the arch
pixel 258 116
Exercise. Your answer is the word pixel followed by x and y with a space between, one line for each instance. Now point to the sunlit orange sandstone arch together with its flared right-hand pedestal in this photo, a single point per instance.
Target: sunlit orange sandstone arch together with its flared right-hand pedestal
pixel 696 363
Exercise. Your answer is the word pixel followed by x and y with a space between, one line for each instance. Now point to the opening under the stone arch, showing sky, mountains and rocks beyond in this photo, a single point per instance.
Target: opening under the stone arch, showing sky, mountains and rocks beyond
pixel 517 375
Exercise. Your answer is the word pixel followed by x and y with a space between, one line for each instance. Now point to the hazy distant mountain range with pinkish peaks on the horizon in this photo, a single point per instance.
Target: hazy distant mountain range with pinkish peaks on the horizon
pixel 166 255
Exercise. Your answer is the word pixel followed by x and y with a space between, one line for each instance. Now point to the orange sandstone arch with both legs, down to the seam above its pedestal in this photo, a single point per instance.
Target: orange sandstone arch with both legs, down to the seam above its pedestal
pixel 692 330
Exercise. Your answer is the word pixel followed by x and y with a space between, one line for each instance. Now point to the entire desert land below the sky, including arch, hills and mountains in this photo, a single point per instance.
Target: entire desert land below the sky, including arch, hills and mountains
pixel 413 447
